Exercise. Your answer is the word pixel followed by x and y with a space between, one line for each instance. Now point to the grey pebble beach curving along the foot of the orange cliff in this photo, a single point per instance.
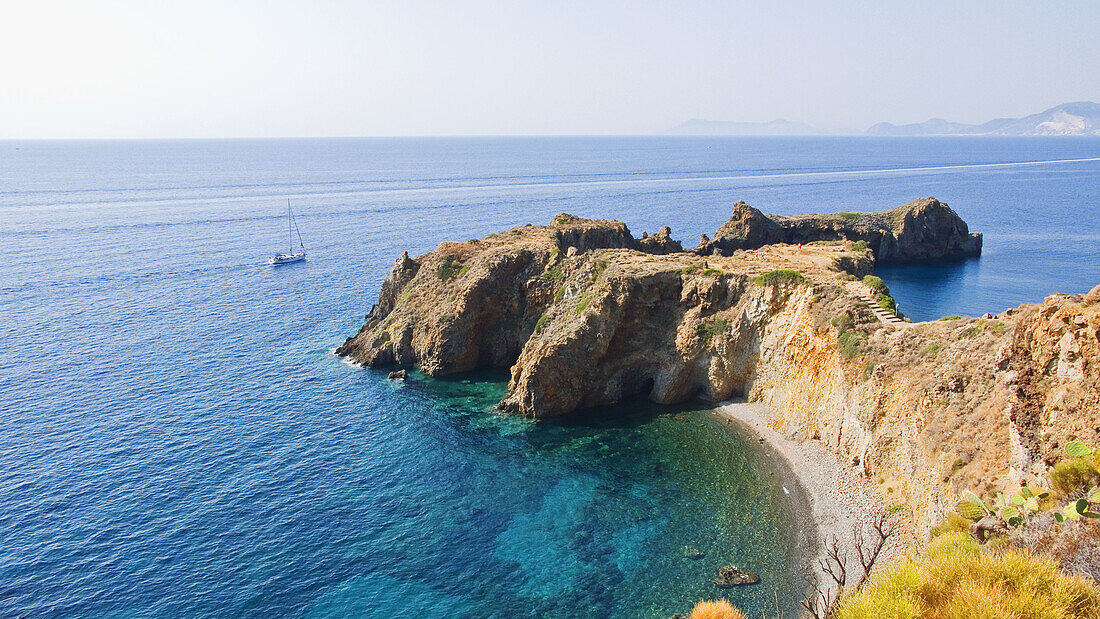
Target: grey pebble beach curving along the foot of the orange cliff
pixel 830 498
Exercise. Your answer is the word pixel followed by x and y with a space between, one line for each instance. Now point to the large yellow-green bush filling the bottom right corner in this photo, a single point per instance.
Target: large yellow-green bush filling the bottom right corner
pixel 958 579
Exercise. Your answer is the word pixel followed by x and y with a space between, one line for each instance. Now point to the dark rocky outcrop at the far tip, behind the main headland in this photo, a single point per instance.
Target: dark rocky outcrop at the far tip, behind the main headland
pixel 922 230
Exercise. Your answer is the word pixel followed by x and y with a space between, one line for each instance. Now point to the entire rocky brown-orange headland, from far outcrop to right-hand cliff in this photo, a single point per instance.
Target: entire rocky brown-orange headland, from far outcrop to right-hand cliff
pixel 586 315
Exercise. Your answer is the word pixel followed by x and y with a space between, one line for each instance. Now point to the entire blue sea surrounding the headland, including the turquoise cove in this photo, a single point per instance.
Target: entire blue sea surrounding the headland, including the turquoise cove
pixel 178 440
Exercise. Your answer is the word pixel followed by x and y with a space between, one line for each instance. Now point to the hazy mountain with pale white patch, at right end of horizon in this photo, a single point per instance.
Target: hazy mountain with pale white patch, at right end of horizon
pixel 1080 118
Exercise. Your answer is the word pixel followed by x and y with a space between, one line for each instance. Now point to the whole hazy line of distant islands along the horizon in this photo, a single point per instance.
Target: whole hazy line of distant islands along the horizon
pixel 1080 118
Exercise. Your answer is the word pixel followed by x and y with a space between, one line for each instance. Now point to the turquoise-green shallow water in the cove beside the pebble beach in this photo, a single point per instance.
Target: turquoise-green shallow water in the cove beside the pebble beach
pixel 570 518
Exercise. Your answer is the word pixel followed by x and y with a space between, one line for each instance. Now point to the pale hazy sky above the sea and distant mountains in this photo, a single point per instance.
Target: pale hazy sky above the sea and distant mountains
pixel 326 68
